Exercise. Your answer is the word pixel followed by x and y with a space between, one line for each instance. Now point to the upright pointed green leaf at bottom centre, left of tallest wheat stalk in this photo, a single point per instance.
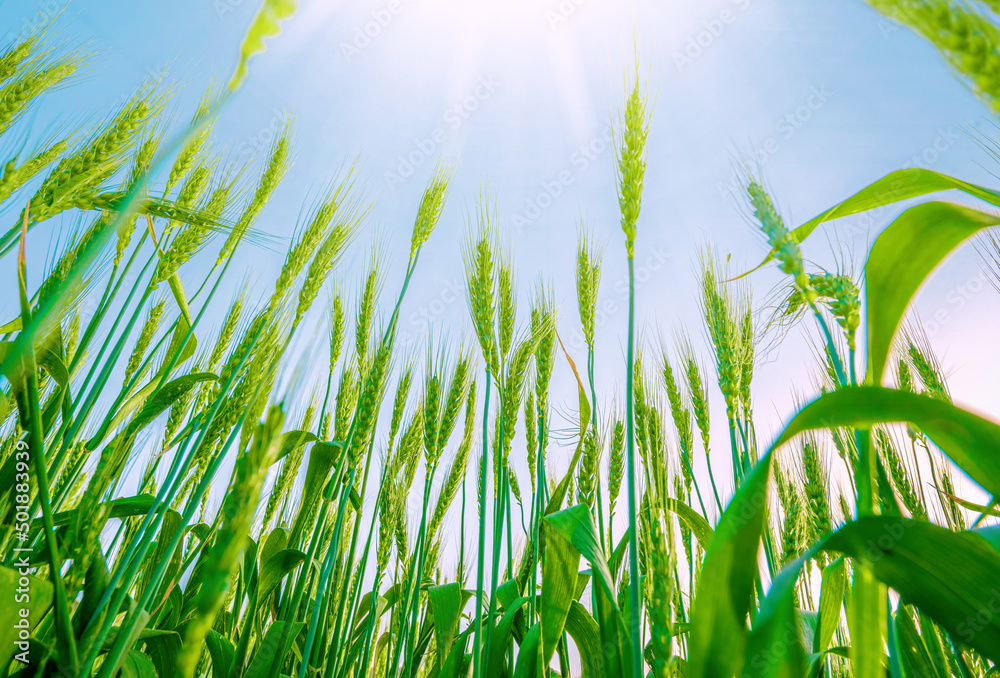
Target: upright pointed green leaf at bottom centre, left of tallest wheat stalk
pixel 560 564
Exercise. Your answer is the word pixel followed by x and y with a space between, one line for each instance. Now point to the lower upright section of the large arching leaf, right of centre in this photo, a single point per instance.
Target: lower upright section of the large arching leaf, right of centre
pixel 725 588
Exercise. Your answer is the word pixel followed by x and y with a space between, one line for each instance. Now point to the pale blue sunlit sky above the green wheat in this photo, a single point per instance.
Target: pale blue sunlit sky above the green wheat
pixel 822 98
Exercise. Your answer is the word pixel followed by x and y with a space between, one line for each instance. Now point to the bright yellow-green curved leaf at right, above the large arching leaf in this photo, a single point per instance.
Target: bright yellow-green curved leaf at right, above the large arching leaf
pixel 901 259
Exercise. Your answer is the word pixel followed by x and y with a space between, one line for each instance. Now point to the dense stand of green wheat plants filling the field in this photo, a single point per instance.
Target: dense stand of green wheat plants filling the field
pixel 187 494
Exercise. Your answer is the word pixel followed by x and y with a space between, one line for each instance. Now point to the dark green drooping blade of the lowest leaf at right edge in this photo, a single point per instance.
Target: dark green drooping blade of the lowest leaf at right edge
pixel 949 576
